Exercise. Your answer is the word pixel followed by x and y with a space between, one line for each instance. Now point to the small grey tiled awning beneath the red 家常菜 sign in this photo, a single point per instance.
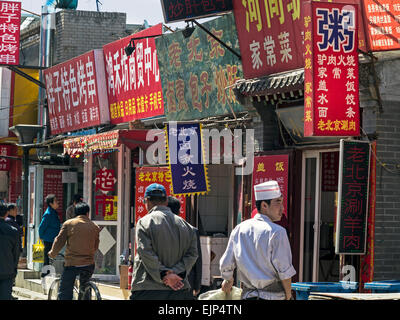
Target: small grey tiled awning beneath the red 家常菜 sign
pixel 273 86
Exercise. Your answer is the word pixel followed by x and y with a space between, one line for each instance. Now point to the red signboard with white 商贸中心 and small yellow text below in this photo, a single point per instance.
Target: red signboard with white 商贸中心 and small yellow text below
pixel 134 83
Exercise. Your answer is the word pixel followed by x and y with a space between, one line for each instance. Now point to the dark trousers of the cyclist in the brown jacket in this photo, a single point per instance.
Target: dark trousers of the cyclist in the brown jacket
pixel 68 279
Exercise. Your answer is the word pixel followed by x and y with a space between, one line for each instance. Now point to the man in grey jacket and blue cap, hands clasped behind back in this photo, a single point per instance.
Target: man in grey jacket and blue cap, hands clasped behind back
pixel 166 251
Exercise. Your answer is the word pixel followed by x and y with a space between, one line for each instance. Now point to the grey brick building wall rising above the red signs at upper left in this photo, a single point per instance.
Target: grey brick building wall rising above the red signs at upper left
pixel 78 32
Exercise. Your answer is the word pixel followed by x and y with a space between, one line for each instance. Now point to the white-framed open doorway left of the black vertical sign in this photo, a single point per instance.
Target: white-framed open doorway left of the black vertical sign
pixel 318 261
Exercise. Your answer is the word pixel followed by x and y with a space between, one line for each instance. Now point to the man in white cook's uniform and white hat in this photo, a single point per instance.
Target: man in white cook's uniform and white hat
pixel 260 251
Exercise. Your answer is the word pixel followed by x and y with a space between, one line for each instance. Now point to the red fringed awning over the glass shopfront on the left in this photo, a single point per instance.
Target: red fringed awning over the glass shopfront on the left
pixel 107 141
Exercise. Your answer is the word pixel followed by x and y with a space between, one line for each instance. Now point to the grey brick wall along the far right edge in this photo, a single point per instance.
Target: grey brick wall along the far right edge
pixel 387 225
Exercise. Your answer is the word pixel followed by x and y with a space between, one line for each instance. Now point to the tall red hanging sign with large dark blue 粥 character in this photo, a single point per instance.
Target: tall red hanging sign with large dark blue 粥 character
pixel 331 97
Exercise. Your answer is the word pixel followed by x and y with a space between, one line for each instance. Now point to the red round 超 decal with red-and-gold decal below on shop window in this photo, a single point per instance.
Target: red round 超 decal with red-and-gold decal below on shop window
pixel 106 204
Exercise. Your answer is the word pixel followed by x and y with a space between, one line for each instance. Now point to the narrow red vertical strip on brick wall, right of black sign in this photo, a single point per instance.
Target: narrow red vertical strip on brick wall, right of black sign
pixel 367 260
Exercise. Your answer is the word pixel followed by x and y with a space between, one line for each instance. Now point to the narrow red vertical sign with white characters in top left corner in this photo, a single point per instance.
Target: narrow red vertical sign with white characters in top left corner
pixel 10 22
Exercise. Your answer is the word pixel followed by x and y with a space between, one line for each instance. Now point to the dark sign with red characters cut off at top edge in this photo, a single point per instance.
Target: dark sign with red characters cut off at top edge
pixel 180 10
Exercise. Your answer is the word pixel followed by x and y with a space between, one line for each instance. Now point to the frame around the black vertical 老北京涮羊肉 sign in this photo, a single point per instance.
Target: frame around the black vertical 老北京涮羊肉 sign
pixel 339 215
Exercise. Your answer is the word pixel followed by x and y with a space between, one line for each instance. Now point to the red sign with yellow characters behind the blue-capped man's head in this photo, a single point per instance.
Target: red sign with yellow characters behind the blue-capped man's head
pixel 148 175
